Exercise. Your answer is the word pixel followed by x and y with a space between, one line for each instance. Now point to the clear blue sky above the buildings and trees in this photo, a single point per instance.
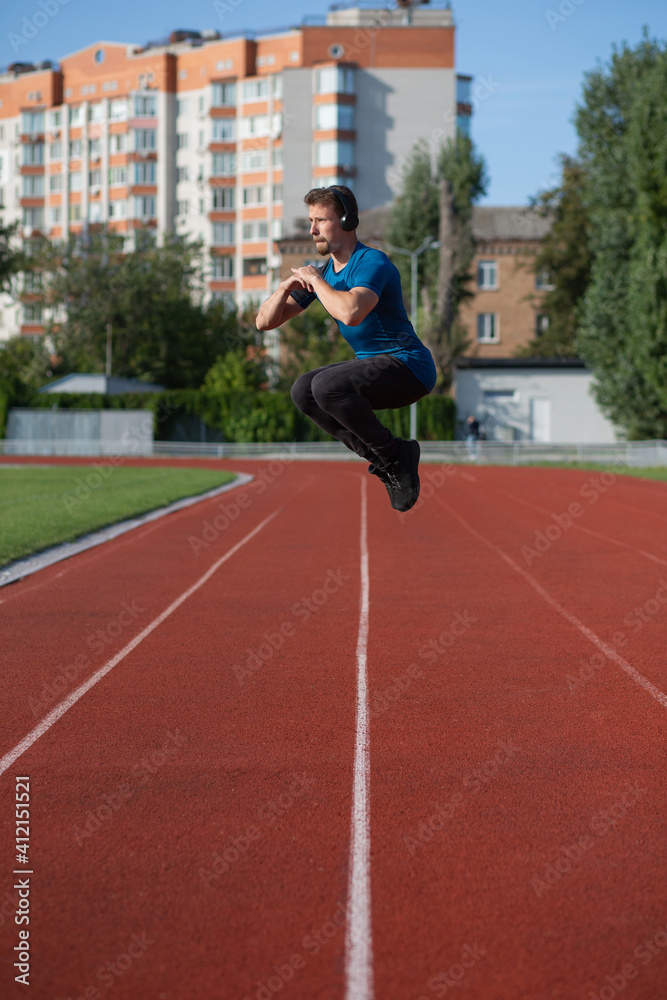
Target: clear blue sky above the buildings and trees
pixel 532 53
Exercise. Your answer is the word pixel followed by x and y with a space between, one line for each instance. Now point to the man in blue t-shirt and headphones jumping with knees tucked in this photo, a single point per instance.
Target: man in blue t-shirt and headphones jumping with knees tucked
pixel 361 289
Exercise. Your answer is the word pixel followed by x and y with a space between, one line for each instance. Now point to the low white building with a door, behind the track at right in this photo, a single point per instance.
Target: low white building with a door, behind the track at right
pixel 527 399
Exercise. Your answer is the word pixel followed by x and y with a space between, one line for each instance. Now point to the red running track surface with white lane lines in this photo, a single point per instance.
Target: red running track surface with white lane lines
pixel 486 770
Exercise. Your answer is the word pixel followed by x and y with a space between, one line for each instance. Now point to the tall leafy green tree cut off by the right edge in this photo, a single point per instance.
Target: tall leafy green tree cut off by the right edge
pixel 622 335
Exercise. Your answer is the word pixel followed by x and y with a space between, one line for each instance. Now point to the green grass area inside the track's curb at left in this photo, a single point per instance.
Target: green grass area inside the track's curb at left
pixel 45 505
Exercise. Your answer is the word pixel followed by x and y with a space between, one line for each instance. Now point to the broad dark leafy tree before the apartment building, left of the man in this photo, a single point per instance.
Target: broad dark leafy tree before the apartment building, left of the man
pixel 149 299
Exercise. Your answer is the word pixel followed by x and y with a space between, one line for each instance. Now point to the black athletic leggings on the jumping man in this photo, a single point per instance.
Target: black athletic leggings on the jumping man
pixel 341 398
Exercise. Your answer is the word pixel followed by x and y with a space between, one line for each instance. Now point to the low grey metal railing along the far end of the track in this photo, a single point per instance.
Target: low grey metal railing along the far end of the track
pixel 636 454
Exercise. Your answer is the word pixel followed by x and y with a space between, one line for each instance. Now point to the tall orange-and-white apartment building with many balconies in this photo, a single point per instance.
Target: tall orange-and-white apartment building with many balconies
pixel 219 138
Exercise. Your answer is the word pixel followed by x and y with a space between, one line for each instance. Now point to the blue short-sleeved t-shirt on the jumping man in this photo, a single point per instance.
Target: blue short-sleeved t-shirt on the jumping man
pixel 386 329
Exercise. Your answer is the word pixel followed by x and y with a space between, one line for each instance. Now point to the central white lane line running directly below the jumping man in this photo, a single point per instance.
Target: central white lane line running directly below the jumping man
pixel 358 942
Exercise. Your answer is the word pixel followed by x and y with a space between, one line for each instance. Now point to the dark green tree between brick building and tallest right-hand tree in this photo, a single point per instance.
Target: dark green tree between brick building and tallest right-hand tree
pixel 565 256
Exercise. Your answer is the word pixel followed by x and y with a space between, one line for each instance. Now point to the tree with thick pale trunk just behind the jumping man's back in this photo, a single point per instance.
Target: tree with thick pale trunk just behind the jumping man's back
pixel 437 199
